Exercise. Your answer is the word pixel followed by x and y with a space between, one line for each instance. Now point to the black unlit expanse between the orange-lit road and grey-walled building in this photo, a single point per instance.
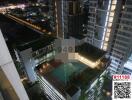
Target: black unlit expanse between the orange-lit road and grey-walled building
pixel 22 36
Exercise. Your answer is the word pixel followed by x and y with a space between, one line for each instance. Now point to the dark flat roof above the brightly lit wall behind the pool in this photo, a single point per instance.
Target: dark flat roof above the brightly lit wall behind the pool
pixel 90 52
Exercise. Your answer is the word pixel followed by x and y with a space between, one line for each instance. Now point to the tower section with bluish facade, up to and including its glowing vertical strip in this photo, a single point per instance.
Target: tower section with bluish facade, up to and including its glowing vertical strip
pixel 99 21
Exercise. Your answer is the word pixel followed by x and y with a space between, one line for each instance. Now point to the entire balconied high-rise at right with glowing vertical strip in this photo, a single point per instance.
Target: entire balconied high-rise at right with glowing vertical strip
pixel 109 28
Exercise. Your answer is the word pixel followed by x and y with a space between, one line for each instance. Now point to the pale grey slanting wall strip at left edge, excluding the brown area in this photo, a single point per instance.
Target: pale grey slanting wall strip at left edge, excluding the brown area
pixel 10 71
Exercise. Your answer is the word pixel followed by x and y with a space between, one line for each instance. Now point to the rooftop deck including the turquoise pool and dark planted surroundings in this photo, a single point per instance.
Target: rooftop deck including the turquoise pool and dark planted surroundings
pixel 64 76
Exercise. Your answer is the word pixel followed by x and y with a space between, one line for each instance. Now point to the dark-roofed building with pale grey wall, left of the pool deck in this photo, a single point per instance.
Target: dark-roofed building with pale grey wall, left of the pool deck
pixel 33 53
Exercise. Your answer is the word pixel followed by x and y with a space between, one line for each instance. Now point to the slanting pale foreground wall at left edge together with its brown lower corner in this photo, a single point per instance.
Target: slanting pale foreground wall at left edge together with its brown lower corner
pixel 10 83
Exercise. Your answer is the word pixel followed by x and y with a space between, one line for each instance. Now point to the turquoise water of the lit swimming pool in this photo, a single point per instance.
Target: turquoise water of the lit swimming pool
pixel 65 71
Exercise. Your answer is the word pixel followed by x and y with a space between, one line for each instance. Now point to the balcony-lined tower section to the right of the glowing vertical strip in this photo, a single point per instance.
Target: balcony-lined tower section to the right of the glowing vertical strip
pixel 120 38
